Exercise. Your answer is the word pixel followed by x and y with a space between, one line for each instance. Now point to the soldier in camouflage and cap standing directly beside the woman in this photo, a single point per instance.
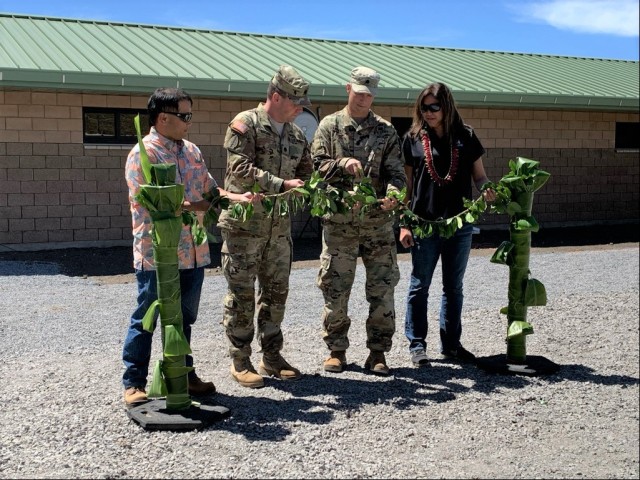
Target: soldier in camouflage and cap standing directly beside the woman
pixel 347 145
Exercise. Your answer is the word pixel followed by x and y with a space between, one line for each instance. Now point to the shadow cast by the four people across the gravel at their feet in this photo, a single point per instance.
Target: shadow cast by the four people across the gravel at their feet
pixel 258 418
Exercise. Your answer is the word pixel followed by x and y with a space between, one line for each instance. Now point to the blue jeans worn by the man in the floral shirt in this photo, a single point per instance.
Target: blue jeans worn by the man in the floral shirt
pixel 136 352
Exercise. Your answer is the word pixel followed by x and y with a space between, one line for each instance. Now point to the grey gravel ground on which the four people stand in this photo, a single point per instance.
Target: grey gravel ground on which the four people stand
pixel 63 415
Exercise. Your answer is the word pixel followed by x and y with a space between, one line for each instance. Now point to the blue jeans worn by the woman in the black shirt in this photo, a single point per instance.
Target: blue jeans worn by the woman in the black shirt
pixel 425 253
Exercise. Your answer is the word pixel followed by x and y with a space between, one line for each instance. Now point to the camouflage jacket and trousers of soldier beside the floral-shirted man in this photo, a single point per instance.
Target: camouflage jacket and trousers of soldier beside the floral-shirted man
pixel 260 247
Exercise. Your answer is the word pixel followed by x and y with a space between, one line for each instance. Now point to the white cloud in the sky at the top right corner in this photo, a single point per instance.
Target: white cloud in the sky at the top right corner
pixel 612 17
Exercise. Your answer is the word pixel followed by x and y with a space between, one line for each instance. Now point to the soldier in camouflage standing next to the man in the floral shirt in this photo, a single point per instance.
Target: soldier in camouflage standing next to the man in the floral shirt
pixel 264 150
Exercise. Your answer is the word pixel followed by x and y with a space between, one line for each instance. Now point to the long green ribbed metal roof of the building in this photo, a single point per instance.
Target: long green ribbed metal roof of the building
pixel 82 55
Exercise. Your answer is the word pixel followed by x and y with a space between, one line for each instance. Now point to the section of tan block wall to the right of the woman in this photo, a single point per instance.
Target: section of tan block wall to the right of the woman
pixel 591 182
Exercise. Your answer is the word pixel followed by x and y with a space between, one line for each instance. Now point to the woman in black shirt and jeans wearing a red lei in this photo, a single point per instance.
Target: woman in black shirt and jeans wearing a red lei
pixel 442 155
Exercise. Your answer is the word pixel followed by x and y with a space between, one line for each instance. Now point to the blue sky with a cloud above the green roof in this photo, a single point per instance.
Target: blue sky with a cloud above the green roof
pixel 582 28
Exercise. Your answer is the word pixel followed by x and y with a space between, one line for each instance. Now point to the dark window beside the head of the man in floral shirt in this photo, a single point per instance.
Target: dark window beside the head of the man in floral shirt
pixel 112 125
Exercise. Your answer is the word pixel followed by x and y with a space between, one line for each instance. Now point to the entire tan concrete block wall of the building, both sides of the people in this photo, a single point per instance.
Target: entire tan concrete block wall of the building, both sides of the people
pixel 55 191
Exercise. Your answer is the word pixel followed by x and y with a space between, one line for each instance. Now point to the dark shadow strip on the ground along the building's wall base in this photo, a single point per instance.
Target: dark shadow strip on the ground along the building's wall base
pixel 80 262
